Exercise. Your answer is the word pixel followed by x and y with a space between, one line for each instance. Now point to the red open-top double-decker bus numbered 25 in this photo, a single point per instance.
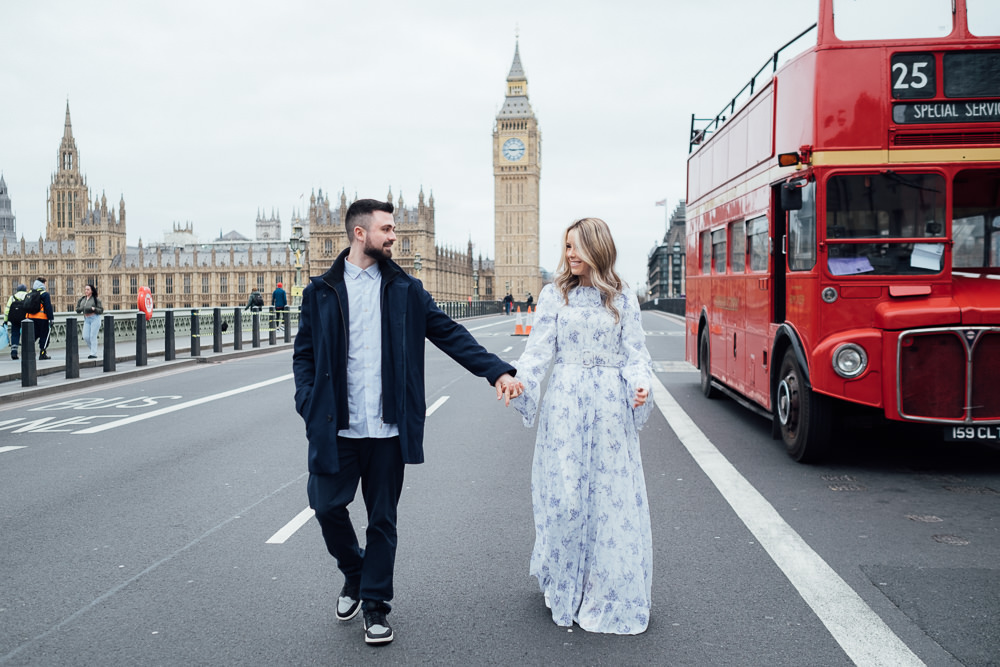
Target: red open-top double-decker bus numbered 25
pixel 843 226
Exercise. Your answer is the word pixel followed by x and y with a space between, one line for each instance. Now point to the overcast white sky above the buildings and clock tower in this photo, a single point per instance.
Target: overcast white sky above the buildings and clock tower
pixel 206 111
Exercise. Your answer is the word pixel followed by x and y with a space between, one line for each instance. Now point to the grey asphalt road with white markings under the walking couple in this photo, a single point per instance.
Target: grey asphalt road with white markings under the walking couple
pixel 159 521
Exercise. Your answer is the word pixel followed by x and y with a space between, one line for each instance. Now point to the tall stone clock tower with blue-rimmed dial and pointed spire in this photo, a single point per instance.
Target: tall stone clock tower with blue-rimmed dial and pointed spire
pixel 517 166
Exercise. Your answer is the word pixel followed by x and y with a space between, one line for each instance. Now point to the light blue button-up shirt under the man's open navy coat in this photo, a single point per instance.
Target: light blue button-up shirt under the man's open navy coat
pixel 364 354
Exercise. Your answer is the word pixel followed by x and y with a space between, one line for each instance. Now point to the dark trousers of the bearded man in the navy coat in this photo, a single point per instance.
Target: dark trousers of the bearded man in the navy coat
pixel 378 464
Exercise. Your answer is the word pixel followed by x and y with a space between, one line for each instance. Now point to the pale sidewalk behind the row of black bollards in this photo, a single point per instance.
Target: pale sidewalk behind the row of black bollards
pixel 52 373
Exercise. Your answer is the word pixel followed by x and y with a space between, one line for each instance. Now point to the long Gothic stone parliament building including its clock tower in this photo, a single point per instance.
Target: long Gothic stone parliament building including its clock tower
pixel 85 240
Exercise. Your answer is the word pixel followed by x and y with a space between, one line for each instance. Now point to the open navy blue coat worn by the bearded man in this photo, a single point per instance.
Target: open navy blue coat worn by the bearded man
pixel 409 316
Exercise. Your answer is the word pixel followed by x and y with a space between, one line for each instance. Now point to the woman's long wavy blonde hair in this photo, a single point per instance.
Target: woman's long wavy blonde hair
pixel 597 249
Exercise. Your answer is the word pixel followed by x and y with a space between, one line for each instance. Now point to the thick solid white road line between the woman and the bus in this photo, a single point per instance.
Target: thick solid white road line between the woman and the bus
pixel 859 631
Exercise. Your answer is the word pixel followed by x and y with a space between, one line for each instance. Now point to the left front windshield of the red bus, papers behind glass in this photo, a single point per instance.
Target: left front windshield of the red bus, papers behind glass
pixel 884 207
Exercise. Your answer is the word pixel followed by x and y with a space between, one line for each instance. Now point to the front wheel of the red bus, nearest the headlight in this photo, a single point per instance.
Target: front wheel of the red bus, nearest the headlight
pixel 804 417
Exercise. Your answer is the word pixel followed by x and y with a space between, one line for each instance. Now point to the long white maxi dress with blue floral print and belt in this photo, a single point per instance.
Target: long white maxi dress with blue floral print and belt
pixel 593 545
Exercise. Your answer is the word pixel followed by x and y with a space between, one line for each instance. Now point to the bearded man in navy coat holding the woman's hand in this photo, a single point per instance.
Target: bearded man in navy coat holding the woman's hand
pixel 359 386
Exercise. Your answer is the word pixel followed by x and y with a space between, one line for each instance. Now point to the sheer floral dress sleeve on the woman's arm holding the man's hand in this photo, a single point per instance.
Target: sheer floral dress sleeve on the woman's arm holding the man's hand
pixel 534 362
